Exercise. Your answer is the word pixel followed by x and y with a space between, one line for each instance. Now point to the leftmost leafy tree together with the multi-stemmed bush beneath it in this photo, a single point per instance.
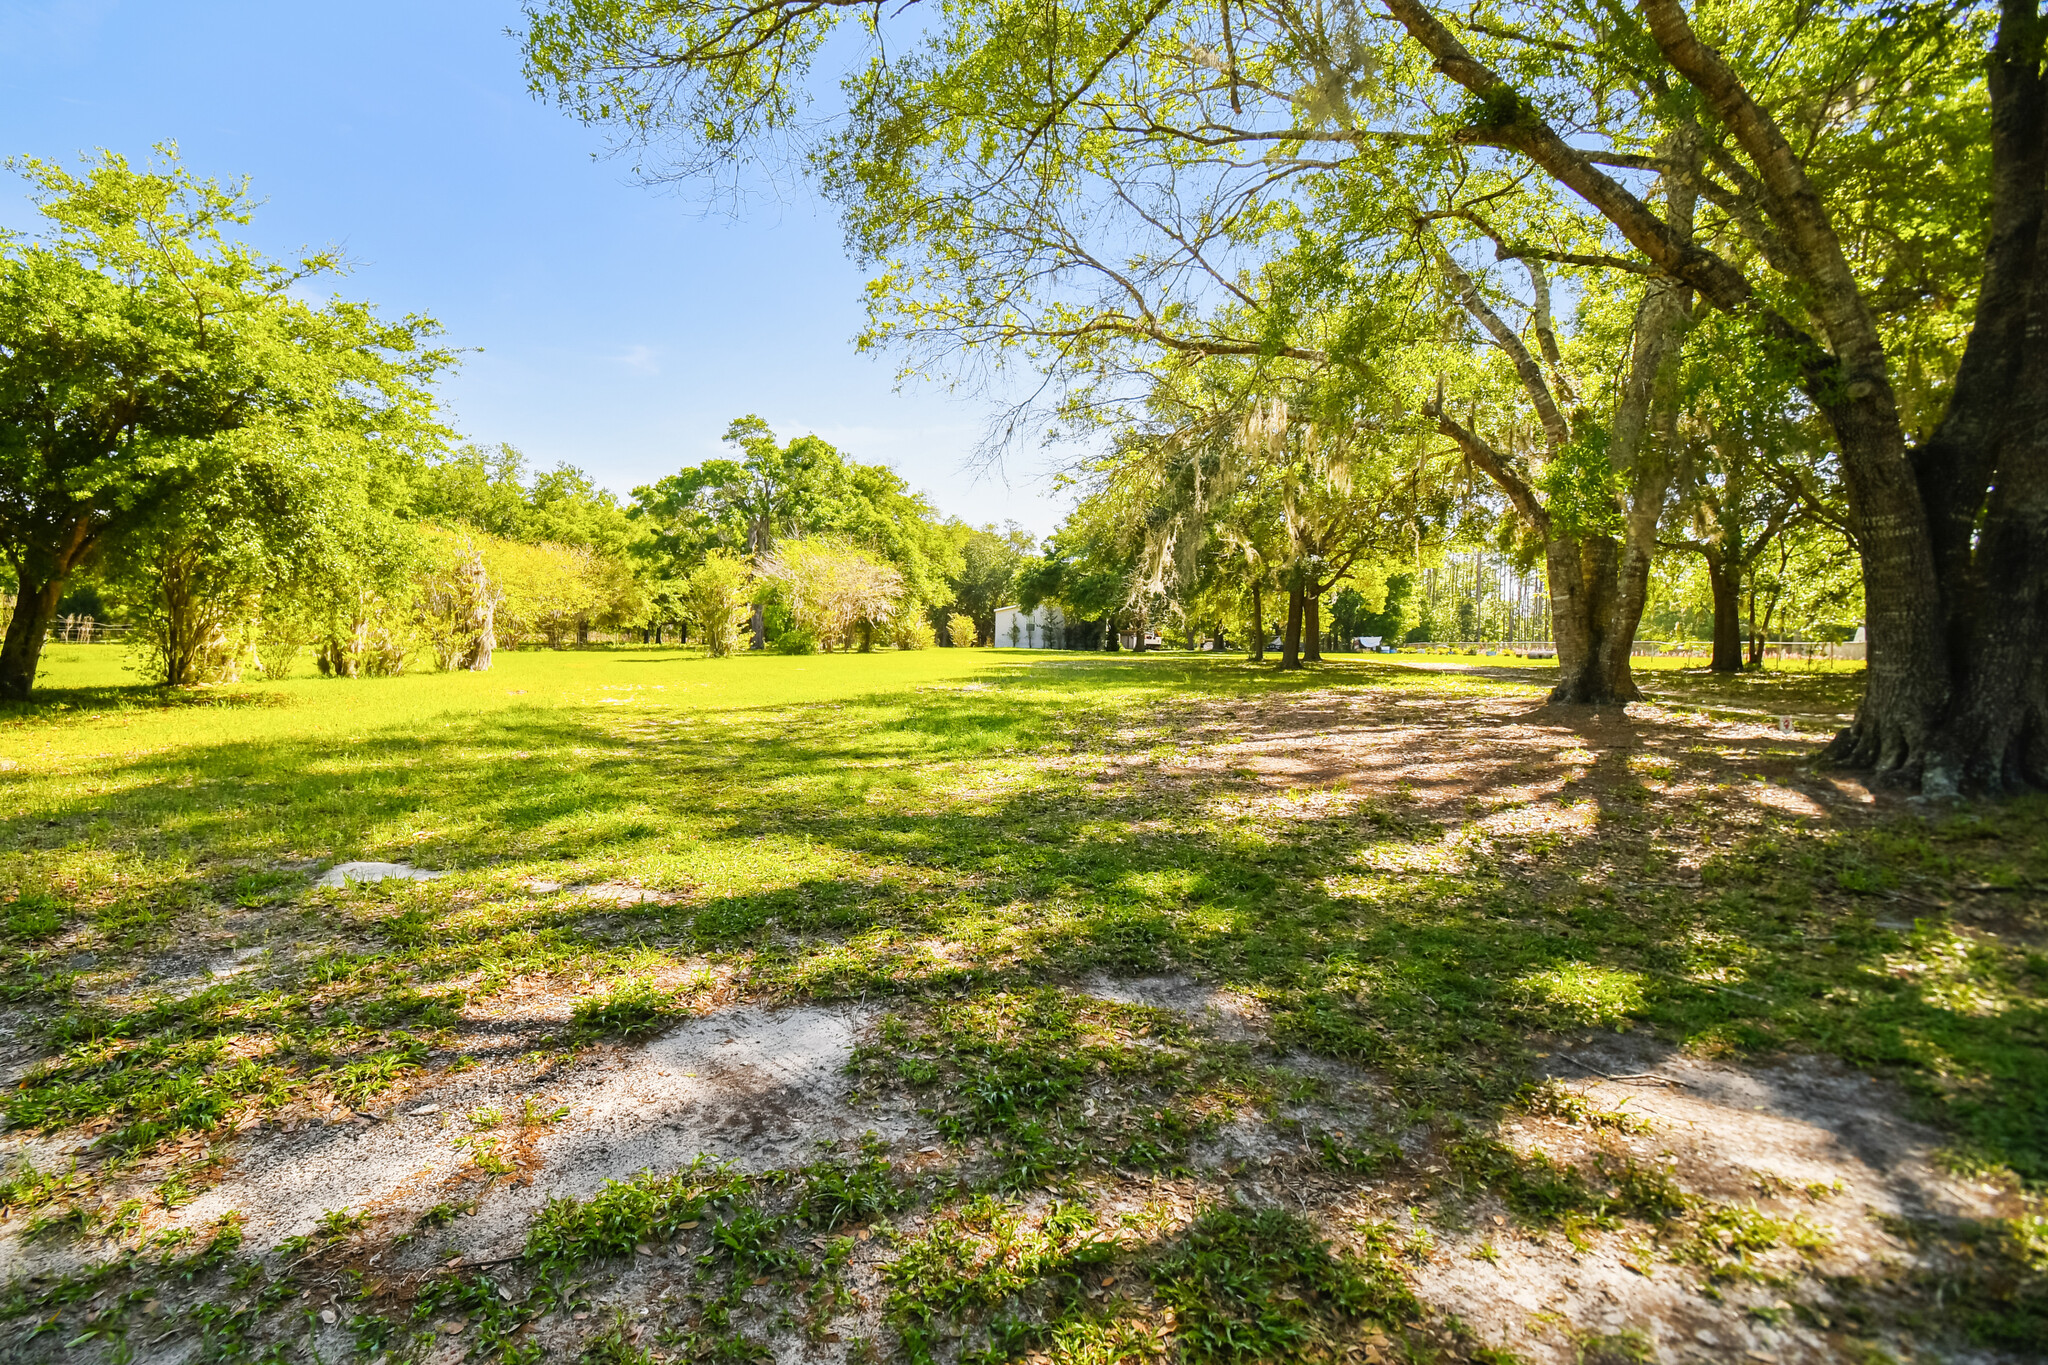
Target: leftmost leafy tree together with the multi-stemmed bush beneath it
pixel 173 398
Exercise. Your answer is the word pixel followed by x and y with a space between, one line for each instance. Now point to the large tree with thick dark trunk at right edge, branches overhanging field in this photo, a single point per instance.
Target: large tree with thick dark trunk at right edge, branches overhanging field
pixel 1832 152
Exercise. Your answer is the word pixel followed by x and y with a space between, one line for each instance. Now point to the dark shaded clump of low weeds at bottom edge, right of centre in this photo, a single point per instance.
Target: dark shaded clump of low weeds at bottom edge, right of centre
pixel 1265 1286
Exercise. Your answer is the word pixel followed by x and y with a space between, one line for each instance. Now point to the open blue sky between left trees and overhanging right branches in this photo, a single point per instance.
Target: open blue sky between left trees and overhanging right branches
pixel 622 328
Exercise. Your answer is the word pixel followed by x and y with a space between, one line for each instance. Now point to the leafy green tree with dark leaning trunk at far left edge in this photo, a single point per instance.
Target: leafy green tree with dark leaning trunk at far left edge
pixel 138 339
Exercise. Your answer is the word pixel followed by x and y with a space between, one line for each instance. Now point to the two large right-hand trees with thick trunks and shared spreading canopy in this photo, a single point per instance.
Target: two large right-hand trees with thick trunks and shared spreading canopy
pixel 1095 187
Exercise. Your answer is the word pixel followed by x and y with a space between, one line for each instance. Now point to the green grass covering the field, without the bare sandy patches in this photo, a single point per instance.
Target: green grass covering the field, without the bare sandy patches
pixel 968 836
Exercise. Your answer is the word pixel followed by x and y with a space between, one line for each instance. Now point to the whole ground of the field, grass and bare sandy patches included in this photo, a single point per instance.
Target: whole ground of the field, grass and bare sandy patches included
pixel 970 1006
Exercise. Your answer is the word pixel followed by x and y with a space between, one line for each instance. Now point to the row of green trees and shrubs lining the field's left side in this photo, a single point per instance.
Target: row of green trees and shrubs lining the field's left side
pixel 249 478
